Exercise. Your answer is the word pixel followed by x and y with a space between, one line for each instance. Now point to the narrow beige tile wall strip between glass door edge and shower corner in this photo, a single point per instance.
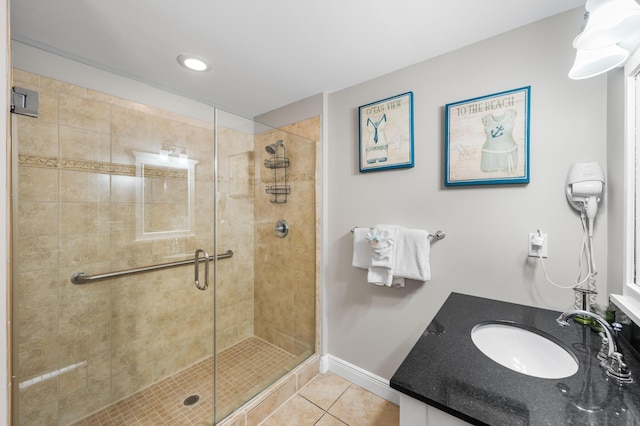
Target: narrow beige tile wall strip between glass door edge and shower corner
pixel 234 280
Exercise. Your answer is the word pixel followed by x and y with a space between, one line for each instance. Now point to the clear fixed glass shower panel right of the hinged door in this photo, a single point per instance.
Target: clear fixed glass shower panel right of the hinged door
pixel 265 295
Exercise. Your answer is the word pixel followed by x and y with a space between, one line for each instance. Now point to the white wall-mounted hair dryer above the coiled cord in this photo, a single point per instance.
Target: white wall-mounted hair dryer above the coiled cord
pixel 585 186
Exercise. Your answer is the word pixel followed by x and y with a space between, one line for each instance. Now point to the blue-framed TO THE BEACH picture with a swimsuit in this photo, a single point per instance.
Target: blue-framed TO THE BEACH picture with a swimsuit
pixel 487 139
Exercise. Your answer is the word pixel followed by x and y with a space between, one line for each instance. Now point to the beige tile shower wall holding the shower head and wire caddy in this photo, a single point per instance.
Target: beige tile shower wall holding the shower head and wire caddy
pixel 285 291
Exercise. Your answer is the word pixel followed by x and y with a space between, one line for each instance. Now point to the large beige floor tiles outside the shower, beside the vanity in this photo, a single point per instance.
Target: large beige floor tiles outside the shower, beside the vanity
pixel 330 400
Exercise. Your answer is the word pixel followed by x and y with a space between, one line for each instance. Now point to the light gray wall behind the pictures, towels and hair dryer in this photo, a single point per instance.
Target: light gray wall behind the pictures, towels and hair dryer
pixel 485 249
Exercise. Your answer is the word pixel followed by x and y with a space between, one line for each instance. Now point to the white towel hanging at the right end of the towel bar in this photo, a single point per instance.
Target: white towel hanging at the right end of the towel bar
pixel 412 254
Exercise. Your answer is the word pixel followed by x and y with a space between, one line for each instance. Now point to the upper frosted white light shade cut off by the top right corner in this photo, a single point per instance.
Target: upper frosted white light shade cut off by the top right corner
pixel 608 22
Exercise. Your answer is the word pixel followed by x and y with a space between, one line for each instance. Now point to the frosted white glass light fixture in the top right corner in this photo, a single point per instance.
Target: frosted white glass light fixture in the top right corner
pixel 610 31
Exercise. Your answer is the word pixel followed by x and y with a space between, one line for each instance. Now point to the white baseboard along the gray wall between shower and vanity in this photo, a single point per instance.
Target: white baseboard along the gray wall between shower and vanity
pixel 365 379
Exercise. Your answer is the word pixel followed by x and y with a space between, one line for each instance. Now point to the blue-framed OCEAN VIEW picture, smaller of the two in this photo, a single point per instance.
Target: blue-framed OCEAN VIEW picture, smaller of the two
pixel 386 133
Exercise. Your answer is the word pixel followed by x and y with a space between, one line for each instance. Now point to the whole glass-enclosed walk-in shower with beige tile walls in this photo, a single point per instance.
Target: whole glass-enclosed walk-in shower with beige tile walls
pixel 112 319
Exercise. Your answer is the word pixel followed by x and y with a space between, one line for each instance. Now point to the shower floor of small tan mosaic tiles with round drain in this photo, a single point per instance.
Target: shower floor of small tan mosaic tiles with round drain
pixel 243 370
